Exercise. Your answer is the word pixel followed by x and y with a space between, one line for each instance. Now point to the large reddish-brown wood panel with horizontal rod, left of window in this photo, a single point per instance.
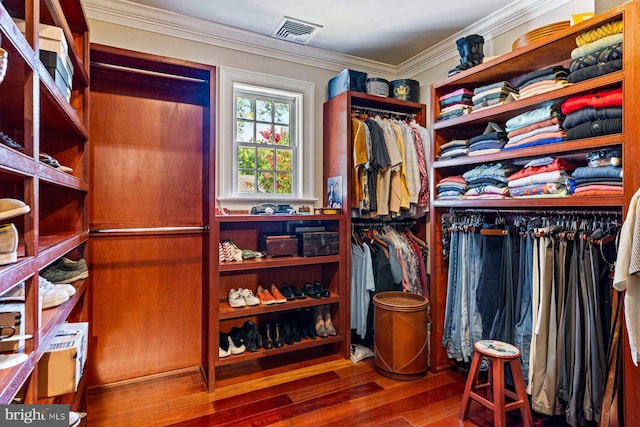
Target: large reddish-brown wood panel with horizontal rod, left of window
pixel 147 163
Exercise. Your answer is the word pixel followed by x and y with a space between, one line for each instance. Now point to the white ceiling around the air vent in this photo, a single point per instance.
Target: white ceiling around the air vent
pixel 377 30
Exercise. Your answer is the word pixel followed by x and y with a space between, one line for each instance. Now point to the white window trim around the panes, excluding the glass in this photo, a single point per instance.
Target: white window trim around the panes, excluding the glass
pixel 225 154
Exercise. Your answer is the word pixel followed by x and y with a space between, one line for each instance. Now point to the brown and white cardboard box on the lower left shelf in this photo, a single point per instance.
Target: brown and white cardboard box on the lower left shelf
pixel 62 364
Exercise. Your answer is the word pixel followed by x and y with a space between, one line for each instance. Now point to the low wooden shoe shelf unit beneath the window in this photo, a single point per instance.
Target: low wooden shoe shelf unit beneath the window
pixel 245 231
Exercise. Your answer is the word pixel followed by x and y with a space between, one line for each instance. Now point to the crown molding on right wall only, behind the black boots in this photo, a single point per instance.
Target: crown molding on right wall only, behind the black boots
pixel 505 19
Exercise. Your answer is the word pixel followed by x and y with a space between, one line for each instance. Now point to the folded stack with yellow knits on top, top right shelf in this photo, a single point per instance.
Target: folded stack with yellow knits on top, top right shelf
pixel 599 52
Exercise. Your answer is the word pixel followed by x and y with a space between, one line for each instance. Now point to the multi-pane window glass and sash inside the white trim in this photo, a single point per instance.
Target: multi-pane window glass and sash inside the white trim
pixel 265 142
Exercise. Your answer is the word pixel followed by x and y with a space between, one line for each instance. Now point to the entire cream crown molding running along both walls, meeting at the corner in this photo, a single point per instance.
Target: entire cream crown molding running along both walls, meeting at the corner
pixel 125 13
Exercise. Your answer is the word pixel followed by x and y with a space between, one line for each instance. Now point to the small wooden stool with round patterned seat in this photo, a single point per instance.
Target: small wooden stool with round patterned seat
pixel 497 353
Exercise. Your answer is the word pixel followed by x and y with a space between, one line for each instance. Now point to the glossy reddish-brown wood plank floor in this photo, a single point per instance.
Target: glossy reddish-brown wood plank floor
pixel 323 391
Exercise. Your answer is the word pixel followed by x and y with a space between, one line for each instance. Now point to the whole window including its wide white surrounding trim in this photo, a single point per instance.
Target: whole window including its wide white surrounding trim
pixel 265 139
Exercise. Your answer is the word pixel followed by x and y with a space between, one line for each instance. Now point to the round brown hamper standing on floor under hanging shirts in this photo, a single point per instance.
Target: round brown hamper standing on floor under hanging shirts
pixel 400 334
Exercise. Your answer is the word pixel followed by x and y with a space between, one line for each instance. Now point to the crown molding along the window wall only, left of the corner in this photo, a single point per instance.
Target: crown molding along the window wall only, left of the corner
pixel 125 13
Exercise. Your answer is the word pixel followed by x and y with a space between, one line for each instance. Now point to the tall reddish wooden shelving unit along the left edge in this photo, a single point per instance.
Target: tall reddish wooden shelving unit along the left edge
pixel 39 117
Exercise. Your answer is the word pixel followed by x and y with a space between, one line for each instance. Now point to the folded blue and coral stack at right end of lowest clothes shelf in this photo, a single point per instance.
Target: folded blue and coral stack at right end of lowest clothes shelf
pixel 602 176
